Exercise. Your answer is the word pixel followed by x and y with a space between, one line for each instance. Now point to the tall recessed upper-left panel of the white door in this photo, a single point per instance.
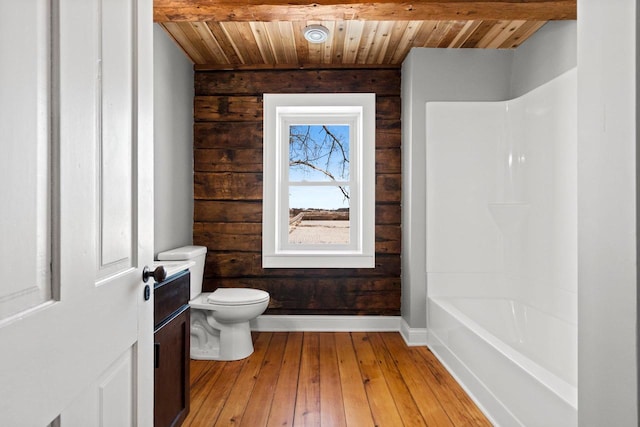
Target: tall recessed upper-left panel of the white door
pixel 25 217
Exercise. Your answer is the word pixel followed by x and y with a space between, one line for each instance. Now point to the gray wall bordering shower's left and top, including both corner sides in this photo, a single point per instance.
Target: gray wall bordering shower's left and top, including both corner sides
pixel 461 75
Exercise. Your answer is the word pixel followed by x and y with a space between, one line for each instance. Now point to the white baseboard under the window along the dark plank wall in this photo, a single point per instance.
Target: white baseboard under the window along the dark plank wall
pixel 312 323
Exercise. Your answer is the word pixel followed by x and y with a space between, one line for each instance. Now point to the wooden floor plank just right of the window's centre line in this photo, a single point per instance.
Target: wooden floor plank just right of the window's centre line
pixel 331 402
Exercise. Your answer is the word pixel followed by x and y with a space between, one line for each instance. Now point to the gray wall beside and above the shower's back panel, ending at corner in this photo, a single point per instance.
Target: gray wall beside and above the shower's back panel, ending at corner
pixel 435 75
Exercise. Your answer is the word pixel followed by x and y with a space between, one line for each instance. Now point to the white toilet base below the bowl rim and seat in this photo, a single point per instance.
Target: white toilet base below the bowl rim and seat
pixel 211 340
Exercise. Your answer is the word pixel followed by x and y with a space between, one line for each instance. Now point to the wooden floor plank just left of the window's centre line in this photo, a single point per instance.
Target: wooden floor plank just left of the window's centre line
pixel 307 411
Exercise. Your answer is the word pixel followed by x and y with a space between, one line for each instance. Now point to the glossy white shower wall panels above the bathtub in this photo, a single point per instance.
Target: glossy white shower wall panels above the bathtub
pixel 502 199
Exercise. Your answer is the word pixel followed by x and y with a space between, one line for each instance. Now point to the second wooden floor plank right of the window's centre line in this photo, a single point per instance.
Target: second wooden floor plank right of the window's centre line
pixel 356 405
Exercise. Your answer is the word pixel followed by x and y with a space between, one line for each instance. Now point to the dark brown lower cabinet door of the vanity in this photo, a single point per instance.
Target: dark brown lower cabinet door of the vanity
pixel 172 371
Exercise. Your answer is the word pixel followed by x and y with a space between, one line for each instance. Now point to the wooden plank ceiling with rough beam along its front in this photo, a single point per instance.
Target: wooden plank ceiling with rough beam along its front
pixel 256 34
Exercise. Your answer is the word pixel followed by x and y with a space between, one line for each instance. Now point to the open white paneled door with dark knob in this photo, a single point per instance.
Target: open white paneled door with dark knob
pixel 76 212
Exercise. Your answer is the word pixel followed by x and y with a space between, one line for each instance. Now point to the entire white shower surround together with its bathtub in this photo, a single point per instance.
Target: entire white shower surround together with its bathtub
pixel 502 251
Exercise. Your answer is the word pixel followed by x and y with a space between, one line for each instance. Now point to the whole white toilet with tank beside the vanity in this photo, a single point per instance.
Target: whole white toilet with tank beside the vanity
pixel 220 319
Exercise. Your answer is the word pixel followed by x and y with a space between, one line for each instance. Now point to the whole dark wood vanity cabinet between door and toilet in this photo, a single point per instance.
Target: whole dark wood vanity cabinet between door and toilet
pixel 171 341
